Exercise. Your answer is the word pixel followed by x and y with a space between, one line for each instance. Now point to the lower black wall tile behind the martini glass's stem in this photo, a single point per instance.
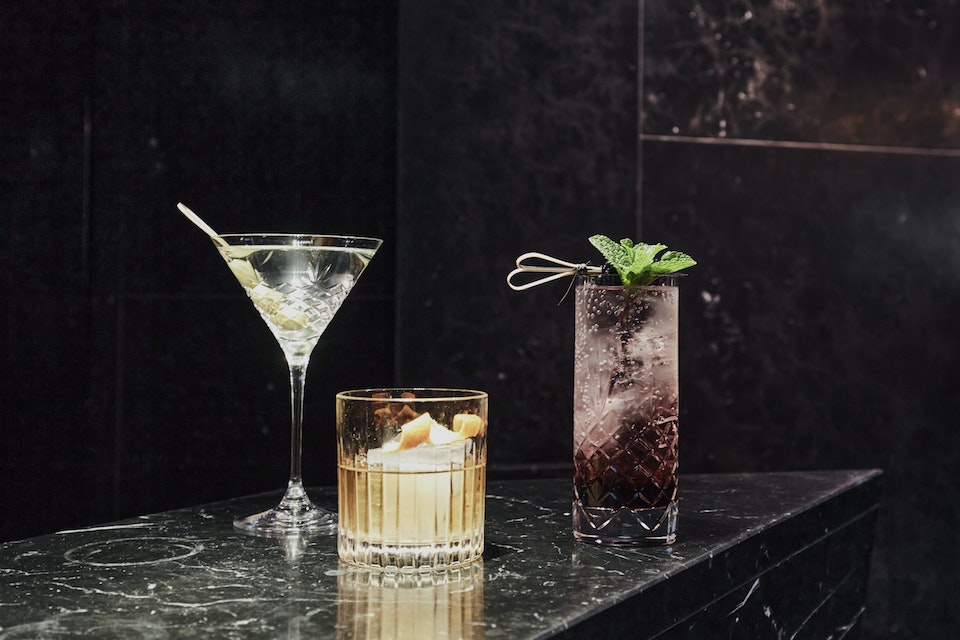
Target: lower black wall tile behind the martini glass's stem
pixel 203 407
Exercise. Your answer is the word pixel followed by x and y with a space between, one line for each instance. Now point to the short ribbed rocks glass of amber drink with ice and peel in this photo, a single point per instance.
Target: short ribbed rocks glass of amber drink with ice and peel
pixel 411 477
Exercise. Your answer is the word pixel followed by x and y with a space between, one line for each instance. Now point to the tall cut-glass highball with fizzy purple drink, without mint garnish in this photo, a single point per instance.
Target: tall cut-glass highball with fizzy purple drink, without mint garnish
pixel 626 407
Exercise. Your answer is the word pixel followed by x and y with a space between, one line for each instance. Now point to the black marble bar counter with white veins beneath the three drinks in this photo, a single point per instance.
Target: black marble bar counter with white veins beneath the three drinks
pixel 756 554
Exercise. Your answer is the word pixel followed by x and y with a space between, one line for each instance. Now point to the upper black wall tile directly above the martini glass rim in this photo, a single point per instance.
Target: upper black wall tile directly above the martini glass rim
pixel 258 121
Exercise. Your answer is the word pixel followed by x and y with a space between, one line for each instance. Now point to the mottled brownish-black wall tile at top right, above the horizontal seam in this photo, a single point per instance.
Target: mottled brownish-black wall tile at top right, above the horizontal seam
pixel 877 73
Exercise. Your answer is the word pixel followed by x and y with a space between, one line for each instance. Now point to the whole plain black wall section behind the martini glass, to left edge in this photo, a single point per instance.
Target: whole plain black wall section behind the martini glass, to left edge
pixel 135 375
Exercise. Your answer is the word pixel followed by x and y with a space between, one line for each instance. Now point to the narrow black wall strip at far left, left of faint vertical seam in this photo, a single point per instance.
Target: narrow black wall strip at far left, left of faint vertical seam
pixel 45 344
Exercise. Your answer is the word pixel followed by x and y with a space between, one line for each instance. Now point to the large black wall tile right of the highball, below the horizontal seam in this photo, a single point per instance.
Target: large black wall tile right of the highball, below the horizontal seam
pixel 818 331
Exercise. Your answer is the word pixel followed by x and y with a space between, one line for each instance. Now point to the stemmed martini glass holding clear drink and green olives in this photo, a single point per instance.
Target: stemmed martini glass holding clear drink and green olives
pixel 297 283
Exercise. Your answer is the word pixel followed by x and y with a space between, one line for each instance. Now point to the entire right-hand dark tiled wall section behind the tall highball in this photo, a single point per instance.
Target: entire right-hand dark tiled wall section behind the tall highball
pixel 805 152
